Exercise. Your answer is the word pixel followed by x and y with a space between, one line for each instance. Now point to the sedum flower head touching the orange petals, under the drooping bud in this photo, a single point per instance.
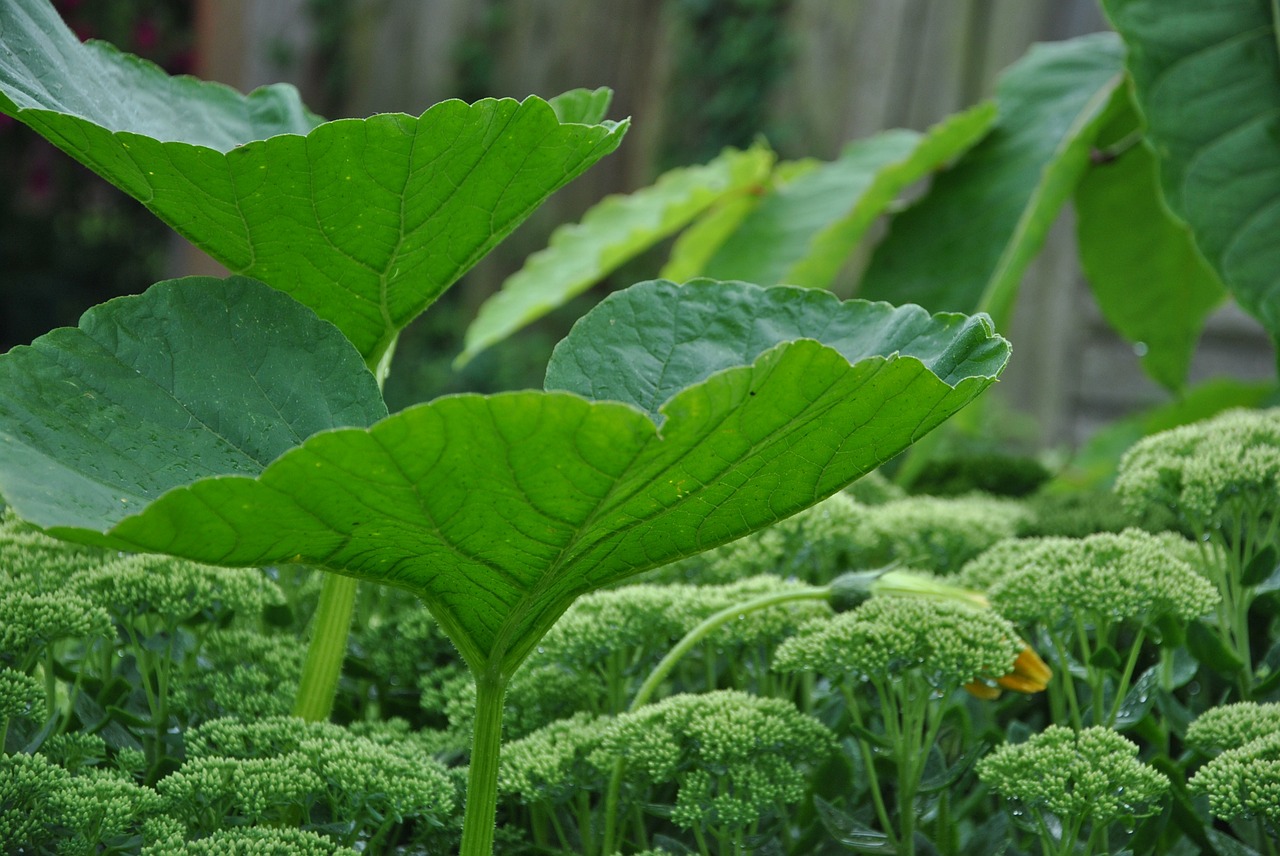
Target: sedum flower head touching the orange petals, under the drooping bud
pixel 950 644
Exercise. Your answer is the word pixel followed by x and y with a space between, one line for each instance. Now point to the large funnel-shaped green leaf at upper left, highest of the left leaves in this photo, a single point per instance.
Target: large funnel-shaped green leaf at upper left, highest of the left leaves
pixel 367 222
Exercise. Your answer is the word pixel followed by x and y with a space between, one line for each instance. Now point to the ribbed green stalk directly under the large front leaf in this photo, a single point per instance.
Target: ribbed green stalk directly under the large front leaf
pixel 482 808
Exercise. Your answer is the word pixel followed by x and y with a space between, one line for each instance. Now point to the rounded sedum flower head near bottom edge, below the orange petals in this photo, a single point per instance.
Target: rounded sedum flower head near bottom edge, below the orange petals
pixel 1075 785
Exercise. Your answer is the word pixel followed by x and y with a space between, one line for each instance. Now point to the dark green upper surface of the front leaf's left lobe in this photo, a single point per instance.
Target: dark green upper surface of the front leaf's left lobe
pixel 198 378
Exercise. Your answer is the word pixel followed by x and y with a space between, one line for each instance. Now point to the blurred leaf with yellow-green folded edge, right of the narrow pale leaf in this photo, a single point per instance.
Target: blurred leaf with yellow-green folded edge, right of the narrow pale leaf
pixel 804 232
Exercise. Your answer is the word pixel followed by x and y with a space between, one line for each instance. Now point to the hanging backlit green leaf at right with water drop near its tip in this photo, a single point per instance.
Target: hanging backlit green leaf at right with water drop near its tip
pixel 1151 283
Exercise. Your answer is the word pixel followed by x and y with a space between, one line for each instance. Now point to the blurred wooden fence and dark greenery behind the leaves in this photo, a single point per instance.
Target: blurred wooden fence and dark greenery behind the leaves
pixel 696 76
